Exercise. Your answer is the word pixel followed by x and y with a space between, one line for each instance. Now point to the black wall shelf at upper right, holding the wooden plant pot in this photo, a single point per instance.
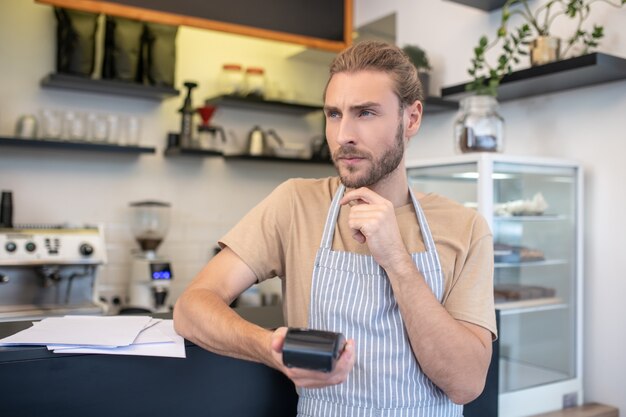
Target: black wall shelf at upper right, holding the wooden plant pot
pixel 581 71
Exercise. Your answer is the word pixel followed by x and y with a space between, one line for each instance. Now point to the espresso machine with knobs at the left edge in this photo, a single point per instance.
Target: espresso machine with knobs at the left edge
pixel 49 270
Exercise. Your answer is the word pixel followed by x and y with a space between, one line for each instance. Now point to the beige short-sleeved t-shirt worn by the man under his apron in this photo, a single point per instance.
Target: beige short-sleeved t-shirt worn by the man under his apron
pixel 281 236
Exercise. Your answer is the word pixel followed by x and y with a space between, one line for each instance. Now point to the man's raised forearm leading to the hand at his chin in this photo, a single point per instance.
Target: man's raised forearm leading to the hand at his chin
pixel 449 353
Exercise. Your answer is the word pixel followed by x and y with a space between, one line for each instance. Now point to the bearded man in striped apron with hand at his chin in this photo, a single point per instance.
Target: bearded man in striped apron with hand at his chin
pixel 408 279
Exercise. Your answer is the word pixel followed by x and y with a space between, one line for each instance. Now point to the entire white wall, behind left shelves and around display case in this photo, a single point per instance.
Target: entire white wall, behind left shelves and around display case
pixel 209 195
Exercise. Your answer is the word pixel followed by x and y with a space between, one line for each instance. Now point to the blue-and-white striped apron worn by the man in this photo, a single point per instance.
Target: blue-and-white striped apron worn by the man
pixel 351 294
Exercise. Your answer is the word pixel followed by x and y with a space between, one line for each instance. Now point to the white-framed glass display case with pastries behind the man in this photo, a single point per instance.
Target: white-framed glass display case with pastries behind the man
pixel 533 206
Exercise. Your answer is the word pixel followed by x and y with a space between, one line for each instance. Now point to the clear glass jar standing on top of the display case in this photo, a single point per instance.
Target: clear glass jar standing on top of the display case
pixel 479 127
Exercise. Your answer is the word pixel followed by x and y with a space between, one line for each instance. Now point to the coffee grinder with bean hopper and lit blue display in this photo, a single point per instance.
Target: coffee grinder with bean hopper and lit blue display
pixel 151 274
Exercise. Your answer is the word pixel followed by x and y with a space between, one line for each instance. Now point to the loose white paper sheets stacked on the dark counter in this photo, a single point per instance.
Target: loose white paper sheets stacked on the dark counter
pixel 117 335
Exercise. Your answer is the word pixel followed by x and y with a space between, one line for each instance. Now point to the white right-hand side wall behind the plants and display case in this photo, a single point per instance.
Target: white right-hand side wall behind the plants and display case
pixel 587 125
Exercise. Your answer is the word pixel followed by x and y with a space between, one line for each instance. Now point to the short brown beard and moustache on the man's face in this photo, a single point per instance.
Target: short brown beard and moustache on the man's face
pixel 380 169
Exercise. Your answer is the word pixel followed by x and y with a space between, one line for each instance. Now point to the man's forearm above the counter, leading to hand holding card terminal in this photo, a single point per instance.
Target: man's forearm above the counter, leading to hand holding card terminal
pixel 206 320
